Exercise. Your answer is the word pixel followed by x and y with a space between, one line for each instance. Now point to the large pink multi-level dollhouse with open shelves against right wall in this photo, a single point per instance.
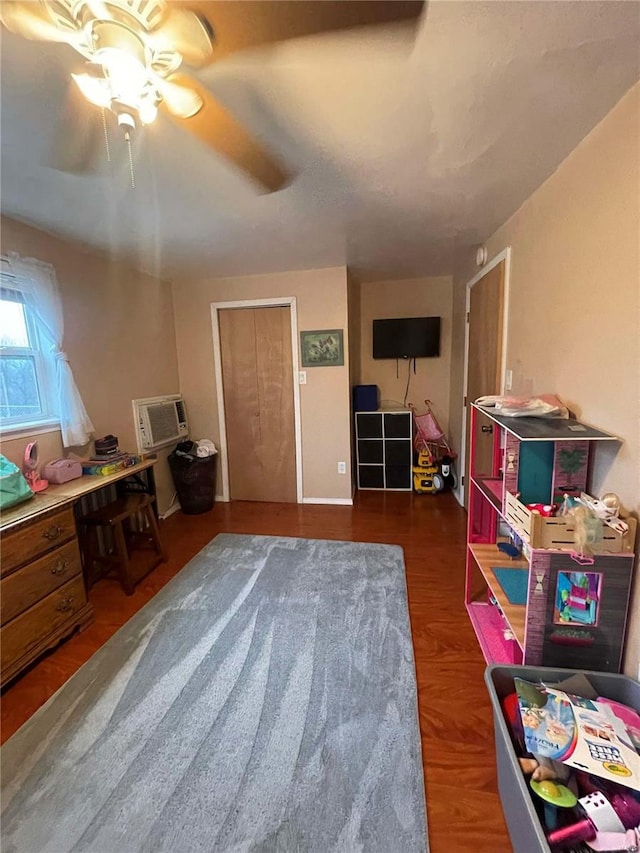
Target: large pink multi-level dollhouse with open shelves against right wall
pixel 546 607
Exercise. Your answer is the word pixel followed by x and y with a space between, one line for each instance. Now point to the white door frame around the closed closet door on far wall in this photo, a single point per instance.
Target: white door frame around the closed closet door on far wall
pixel 276 302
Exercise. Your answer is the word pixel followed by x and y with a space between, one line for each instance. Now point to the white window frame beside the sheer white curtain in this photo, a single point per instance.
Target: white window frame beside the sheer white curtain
pixel 43 364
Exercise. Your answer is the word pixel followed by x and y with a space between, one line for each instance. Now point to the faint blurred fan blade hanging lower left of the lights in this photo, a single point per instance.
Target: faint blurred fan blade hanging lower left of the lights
pixel 79 143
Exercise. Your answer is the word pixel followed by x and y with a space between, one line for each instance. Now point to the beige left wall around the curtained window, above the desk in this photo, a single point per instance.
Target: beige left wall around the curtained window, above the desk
pixel 119 336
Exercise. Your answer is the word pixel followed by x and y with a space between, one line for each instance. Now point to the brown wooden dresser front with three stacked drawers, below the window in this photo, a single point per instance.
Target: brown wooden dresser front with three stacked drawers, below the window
pixel 42 591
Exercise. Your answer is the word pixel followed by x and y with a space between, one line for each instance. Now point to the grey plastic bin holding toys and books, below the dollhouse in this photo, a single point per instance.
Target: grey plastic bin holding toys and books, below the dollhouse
pixel 527 834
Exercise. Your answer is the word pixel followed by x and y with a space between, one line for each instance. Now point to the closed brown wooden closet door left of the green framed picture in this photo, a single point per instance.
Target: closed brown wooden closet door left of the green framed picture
pixel 257 374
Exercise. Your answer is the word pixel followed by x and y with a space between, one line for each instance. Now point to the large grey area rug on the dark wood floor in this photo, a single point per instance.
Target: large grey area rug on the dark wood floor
pixel 264 700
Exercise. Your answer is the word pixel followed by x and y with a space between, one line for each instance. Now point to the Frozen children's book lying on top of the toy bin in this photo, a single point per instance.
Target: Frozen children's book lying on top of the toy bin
pixel 582 733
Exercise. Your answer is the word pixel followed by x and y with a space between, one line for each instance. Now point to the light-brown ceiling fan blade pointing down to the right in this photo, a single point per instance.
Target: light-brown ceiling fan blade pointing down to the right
pixel 218 129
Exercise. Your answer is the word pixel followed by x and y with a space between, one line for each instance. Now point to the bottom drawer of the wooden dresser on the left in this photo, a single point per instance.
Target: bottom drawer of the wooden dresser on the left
pixel 28 630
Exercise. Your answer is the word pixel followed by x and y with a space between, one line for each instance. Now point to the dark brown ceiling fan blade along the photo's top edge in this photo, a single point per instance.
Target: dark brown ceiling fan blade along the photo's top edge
pixel 244 24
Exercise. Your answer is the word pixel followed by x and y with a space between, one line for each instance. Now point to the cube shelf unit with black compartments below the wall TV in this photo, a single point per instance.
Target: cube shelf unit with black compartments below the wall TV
pixel 384 449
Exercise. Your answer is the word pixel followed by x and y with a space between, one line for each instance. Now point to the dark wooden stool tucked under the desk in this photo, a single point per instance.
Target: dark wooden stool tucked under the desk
pixel 119 539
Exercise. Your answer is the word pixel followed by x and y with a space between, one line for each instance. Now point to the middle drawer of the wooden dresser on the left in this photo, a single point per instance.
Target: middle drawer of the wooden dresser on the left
pixel 23 588
